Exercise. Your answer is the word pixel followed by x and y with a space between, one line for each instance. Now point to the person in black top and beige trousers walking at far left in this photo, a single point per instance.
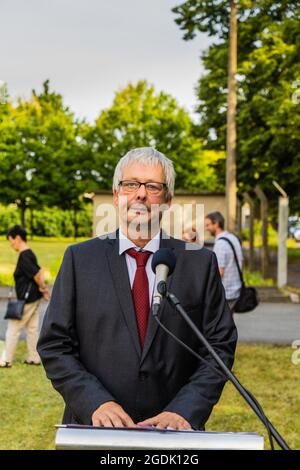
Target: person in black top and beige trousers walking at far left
pixel 28 277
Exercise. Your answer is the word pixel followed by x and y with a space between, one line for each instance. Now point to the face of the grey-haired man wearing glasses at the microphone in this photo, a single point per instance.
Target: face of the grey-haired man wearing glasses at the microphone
pixel 135 207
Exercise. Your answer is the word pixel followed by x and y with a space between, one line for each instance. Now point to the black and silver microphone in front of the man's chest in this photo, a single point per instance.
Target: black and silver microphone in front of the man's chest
pixel 163 264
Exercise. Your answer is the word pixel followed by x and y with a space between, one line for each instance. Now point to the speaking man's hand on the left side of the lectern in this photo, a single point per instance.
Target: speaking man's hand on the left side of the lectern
pixel 111 415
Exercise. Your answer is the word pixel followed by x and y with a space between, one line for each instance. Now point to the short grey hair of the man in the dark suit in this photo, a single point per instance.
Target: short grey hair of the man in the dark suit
pixel 147 156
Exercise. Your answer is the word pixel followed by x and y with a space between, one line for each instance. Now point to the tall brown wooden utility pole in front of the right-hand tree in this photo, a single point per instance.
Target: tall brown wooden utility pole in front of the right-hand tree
pixel 231 187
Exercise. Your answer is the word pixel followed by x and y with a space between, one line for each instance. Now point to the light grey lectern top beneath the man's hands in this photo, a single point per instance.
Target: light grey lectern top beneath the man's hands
pixel 74 437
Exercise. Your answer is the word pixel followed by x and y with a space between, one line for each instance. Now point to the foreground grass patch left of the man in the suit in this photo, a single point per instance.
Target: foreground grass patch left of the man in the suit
pixel 29 407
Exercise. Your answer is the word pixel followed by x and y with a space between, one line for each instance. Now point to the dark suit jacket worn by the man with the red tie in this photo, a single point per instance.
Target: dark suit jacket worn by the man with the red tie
pixel 89 342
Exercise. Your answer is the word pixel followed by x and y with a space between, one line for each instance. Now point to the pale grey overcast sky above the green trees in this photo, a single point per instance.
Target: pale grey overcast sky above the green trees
pixel 89 49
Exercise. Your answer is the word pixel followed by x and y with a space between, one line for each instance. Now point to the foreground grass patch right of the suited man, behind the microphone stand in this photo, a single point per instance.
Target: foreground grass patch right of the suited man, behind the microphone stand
pixel 268 372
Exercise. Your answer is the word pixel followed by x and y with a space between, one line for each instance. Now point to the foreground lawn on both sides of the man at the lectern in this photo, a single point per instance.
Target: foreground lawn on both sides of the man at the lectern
pixel 30 407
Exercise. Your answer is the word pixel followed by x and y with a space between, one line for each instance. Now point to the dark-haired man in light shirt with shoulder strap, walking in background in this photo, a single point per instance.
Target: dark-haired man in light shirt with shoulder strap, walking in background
pixel 214 224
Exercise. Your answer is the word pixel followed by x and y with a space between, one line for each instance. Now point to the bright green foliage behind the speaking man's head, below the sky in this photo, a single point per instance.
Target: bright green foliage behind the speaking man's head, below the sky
pixel 49 159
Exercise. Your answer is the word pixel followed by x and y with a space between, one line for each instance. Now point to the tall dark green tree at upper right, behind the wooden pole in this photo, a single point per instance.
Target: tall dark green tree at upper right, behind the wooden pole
pixel 268 117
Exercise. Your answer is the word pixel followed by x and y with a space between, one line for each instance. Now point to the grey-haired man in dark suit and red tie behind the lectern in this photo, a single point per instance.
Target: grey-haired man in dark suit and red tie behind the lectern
pixel 100 347
